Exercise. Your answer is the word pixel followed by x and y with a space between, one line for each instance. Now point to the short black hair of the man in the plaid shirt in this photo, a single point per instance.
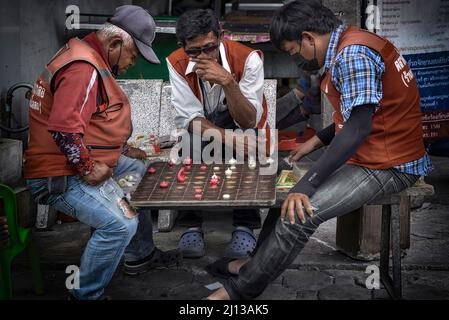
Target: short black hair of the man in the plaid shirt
pixel 291 20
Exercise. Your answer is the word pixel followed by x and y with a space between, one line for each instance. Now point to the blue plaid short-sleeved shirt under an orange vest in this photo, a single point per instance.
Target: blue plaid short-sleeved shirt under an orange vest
pixel 356 72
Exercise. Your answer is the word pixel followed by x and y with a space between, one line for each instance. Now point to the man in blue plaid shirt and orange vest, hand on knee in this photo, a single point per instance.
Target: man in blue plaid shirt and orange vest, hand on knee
pixel 374 146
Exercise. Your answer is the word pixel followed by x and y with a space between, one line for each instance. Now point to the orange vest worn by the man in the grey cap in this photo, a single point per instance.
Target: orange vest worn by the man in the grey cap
pixel 108 129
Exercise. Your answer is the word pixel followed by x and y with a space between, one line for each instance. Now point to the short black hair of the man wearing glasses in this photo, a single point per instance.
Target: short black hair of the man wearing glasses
pixel 196 22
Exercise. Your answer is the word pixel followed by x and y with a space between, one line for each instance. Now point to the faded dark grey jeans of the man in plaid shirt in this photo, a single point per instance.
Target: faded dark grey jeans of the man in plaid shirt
pixel 348 189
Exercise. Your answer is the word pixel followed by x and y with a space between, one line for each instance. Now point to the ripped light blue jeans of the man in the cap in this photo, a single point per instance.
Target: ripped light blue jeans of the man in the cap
pixel 115 234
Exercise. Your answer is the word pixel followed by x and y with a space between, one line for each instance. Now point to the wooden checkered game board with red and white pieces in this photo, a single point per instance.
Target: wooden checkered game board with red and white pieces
pixel 246 187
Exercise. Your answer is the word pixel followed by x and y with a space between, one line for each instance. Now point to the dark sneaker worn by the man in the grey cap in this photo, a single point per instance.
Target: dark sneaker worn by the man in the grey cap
pixel 158 259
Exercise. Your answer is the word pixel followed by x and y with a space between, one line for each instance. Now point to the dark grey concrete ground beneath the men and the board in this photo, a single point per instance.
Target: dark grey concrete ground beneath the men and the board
pixel 320 272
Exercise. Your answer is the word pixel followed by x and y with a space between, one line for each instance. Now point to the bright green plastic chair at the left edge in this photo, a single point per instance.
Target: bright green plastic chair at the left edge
pixel 20 239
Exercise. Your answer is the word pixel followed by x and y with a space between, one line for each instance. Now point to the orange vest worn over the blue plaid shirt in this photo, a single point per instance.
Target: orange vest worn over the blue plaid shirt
pixel 397 135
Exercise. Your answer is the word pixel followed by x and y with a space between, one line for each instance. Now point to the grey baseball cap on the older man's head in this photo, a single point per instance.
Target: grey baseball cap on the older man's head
pixel 140 25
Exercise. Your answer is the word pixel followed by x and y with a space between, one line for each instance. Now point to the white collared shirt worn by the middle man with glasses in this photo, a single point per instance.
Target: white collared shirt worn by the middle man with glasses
pixel 189 107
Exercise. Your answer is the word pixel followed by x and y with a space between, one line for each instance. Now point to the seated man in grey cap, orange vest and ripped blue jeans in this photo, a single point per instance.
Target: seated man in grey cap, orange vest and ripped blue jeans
pixel 80 122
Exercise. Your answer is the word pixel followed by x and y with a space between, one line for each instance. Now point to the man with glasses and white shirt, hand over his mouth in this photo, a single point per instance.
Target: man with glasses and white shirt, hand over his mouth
pixel 217 84
